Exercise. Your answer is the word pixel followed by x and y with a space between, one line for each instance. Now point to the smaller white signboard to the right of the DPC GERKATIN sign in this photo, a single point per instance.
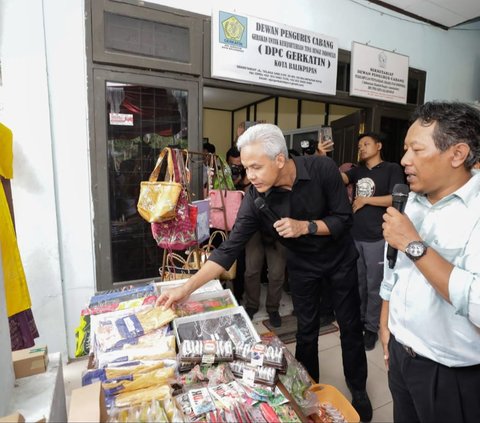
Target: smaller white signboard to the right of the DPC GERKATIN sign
pixel 378 74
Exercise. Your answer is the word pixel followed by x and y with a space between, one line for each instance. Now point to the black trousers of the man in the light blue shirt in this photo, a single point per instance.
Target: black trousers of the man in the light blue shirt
pixel 426 391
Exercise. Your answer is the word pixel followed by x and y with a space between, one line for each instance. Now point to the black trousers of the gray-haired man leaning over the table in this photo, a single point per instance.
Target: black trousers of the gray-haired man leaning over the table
pixel 305 286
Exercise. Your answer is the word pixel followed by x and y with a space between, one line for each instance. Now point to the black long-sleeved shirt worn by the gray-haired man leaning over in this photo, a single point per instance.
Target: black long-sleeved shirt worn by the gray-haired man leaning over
pixel 318 193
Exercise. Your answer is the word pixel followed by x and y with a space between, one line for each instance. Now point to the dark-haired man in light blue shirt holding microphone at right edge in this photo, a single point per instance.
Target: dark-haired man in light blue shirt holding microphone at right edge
pixel 430 320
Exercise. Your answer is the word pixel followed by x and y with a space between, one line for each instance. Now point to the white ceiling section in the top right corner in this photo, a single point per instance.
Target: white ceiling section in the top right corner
pixel 447 13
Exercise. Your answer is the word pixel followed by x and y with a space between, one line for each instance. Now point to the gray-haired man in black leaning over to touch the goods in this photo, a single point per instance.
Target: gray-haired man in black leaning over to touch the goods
pixel 309 198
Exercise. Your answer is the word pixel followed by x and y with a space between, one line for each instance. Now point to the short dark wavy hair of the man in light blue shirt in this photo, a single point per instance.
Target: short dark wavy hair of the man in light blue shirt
pixel 455 123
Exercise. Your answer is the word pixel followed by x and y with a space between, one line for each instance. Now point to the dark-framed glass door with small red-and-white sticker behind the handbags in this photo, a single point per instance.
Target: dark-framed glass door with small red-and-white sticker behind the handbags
pixel 136 116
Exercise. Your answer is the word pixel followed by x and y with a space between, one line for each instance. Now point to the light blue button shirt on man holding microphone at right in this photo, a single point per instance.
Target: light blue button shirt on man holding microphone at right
pixel 419 316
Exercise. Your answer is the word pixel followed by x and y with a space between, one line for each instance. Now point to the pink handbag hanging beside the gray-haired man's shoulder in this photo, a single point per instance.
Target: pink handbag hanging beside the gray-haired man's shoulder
pixel 224 203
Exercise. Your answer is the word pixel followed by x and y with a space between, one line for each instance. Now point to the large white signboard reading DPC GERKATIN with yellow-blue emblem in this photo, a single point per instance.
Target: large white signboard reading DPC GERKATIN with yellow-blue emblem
pixel 254 50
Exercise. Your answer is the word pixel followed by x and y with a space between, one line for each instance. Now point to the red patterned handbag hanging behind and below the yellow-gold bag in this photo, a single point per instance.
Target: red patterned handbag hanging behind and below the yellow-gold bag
pixel 178 233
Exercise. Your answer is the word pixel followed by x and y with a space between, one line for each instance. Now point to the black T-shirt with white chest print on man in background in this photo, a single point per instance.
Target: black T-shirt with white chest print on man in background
pixel 374 182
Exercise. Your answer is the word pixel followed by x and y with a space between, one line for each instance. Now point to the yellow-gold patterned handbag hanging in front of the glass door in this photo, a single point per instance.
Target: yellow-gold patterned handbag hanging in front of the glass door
pixel 157 201
